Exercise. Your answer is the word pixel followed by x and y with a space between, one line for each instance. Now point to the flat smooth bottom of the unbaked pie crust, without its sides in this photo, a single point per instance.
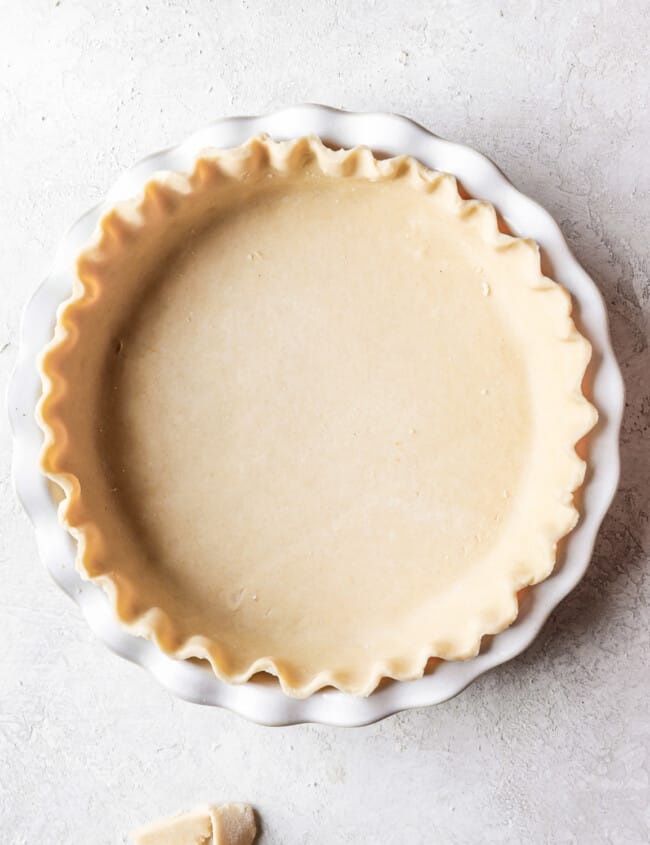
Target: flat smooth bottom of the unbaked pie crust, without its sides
pixel 339 430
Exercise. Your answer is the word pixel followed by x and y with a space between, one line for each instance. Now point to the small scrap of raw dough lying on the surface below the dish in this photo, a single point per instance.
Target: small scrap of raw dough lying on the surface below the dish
pixel 230 824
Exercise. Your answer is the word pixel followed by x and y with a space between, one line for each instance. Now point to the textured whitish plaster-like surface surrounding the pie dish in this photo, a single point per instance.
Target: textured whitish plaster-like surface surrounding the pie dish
pixel 555 746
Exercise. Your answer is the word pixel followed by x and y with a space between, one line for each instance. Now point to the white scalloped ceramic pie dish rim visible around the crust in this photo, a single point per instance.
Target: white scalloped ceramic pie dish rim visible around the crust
pixel 265 702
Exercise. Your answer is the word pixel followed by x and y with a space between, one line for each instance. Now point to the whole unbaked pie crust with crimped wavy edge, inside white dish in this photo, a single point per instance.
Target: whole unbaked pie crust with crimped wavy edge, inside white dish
pixel 313 414
